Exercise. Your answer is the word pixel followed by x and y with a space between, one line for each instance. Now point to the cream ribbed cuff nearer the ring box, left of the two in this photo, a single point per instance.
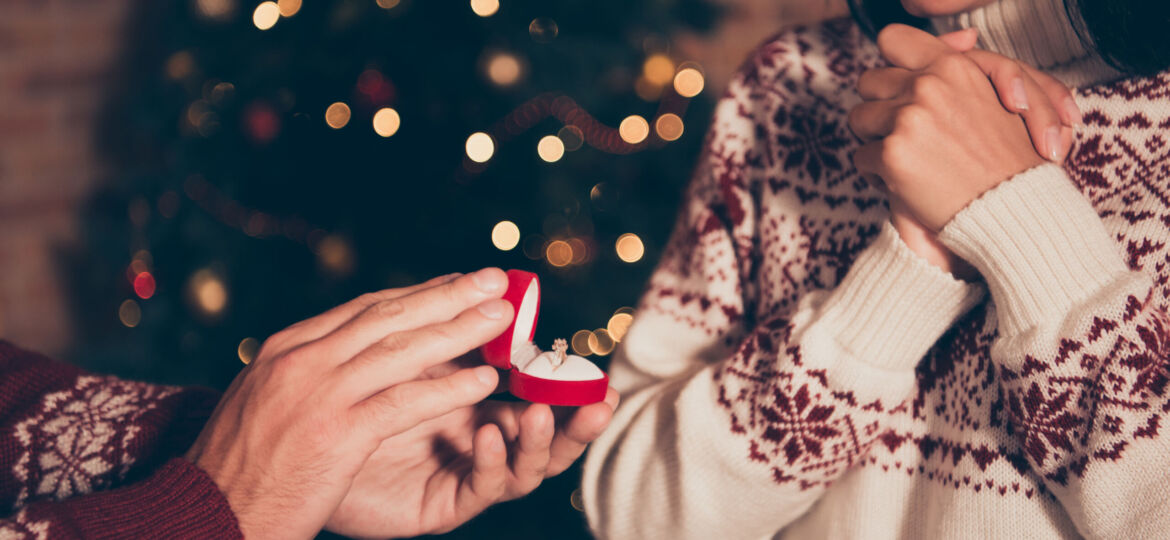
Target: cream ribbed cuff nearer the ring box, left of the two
pixel 893 306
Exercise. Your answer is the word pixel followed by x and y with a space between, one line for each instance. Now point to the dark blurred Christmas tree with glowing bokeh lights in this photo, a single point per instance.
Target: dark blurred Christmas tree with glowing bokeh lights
pixel 270 162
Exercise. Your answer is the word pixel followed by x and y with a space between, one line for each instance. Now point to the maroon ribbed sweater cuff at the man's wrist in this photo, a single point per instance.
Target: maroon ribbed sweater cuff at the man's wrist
pixel 178 501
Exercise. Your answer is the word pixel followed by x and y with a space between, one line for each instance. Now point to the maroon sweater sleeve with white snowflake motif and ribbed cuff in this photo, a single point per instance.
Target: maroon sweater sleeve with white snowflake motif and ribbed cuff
pixel 88 456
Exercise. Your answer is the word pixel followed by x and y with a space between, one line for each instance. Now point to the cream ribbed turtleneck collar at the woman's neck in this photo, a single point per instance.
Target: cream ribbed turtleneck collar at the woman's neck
pixel 1040 33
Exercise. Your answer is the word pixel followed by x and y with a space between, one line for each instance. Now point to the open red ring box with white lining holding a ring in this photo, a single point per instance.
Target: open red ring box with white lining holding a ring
pixel 535 376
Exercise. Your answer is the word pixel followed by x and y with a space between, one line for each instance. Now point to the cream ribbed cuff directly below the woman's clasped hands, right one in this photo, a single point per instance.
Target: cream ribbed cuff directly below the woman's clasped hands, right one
pixel 1040 245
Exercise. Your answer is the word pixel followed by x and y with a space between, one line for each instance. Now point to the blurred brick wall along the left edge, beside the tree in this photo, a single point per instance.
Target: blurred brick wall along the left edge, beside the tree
pixel 56 58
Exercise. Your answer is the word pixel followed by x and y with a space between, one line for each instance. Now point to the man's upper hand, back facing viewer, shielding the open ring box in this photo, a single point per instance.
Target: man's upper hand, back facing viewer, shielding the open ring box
pixel 299 425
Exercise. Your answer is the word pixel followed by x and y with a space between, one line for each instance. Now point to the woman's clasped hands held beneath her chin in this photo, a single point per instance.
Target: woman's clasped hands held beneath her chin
pixel 940 135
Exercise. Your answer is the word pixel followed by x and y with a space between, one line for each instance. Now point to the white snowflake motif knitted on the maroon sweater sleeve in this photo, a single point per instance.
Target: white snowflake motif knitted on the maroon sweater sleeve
pixel 80 440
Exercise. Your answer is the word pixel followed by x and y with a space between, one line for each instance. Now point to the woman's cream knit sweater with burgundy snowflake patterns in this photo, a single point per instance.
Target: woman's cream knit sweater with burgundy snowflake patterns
pixel 795 371
